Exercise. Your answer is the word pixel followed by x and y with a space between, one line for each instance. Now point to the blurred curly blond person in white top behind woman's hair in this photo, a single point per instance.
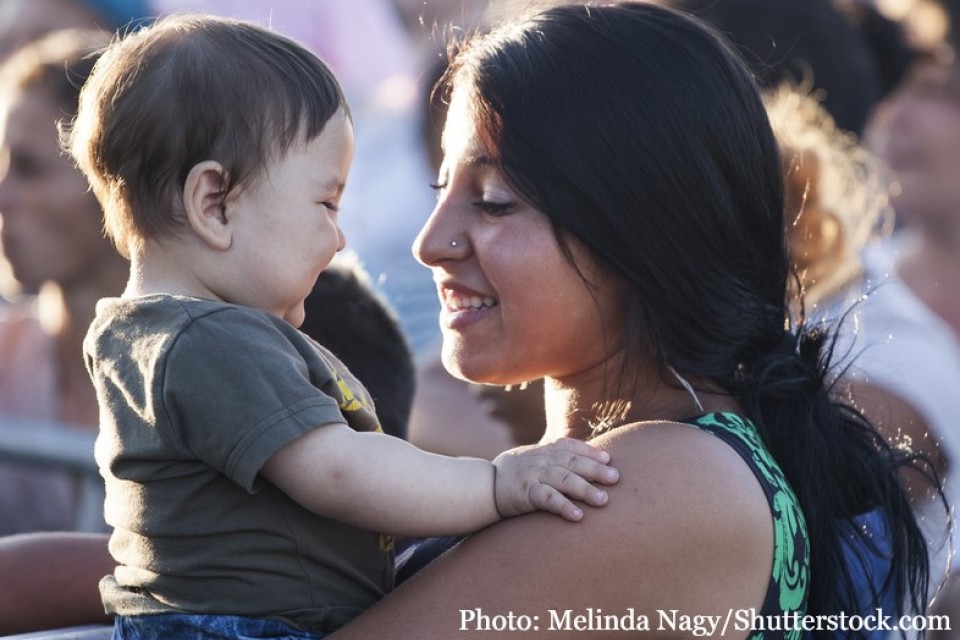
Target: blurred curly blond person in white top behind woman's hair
pixel 895 368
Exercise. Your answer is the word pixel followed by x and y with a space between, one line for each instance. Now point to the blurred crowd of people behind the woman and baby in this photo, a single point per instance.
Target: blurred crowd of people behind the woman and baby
pixel 864 97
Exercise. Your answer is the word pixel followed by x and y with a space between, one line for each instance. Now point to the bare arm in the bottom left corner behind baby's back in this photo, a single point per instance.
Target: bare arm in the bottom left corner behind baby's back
pixel 50 580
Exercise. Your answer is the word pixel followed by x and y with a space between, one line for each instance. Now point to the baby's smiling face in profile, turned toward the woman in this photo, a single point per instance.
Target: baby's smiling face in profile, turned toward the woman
pixel 286 224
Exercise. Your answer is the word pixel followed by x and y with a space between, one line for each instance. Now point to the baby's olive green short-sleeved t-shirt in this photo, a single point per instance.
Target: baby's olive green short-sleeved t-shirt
pixel 195 396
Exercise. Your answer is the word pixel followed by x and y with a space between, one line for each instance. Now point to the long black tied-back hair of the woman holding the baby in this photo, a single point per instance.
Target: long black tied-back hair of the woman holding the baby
pixel 636 130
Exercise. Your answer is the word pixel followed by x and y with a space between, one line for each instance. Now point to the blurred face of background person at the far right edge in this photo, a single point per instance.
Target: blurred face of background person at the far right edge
pixel 916 131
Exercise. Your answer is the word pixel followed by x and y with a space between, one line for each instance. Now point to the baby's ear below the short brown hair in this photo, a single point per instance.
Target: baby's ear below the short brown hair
pixel 204 193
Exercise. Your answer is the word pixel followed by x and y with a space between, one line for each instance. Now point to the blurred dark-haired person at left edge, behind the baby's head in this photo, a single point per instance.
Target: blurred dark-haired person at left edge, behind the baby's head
pixel 52 238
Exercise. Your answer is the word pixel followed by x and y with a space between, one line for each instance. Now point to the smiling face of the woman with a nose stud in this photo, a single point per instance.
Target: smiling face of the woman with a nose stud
pixel 513 308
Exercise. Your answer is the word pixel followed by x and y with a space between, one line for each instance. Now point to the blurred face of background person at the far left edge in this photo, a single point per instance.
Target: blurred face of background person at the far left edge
pixel 52 227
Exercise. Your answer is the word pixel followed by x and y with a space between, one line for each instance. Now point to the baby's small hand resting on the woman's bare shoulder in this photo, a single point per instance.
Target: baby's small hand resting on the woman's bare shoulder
pixel 546 476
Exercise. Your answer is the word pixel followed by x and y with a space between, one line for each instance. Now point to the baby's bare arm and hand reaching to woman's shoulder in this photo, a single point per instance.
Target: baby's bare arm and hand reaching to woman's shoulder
pixel 382 483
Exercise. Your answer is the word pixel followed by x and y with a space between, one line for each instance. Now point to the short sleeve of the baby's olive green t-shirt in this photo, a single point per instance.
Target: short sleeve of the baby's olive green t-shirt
pixel 236 390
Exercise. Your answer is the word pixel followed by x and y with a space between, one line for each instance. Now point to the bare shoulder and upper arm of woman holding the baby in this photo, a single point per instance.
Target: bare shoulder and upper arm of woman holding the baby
pixel 686 519
